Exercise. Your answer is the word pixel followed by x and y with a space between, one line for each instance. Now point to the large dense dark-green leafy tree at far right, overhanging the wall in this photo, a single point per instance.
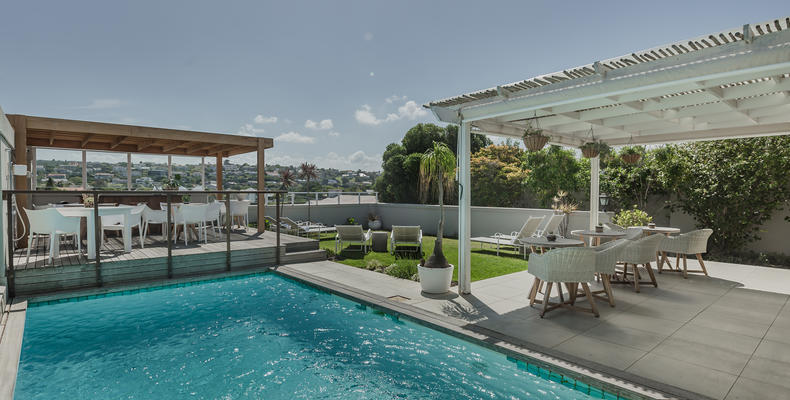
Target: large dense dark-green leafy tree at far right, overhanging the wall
pixel 731 186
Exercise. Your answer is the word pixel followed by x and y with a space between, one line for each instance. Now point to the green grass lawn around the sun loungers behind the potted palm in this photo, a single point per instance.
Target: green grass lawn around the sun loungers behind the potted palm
pixel 485 262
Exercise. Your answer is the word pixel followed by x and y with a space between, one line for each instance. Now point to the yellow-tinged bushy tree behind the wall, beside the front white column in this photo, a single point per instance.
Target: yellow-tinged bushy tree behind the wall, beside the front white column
pixel 498 179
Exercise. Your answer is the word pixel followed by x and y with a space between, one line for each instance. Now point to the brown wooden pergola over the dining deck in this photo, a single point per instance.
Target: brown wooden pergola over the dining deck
pixel 31 132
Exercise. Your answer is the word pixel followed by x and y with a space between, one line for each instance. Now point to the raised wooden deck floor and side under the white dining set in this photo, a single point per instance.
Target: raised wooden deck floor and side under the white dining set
pixel 72 270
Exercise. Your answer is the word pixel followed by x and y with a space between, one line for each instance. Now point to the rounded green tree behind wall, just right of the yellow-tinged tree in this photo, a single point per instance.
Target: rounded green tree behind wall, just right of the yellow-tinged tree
pixel 554 169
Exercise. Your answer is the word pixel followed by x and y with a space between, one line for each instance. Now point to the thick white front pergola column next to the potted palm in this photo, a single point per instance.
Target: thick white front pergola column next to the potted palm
pixel 464 210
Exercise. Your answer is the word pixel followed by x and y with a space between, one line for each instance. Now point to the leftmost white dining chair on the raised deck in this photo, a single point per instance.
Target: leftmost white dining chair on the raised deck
pixel 49 222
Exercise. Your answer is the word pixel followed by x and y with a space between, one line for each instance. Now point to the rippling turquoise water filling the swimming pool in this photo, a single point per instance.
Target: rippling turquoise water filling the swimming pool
pixel 261 337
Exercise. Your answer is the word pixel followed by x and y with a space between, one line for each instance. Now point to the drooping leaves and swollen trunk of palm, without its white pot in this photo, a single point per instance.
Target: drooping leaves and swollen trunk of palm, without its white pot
pixel 437 174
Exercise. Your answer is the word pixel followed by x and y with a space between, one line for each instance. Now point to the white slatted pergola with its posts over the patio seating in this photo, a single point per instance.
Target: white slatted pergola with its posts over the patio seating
pixel 731 84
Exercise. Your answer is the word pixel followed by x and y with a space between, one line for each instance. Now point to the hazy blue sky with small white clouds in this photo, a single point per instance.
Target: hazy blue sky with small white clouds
pixel 333 82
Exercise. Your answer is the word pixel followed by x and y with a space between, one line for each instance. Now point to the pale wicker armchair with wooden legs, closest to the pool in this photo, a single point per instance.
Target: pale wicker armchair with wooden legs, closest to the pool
pixel 571 266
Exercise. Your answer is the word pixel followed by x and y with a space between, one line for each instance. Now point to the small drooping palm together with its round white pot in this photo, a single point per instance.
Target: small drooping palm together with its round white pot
pixel 437 175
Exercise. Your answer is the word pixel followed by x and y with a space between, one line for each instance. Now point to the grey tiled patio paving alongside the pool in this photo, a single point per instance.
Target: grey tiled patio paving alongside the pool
pixel 726 336
